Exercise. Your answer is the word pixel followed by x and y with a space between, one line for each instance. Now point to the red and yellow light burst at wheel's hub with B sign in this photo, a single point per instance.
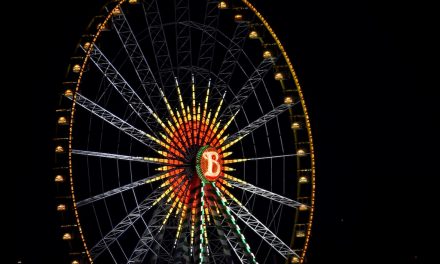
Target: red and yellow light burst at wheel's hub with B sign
pixel 194 172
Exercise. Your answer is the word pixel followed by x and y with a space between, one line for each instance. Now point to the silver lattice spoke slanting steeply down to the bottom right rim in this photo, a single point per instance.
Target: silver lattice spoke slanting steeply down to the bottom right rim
pixel 259 228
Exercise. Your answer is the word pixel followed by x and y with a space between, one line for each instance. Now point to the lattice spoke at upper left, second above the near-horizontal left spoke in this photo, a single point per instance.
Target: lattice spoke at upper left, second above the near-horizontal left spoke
pixel 120 84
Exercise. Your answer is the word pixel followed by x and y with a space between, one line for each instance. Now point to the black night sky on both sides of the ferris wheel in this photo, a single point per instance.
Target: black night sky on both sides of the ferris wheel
pixel 367 71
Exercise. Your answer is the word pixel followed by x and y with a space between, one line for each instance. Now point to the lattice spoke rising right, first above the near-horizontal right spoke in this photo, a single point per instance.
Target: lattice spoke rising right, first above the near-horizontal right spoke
pixel 255 125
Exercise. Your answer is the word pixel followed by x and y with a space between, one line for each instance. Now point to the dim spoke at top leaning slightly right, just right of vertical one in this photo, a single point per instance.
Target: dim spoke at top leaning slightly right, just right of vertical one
pixel 207 42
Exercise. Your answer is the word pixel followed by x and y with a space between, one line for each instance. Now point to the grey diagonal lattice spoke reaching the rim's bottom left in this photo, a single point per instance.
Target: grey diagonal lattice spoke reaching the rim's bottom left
pixel 124 224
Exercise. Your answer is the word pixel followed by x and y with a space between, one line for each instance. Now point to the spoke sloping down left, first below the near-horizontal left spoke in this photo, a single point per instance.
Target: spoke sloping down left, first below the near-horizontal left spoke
pixel 126 187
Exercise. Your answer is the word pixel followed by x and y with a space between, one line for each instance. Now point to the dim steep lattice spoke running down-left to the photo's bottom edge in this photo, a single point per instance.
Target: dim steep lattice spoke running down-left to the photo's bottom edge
pixel 144 244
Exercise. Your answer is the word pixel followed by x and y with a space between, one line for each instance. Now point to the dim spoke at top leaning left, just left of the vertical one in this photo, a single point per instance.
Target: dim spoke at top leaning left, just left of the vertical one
pixel 159 42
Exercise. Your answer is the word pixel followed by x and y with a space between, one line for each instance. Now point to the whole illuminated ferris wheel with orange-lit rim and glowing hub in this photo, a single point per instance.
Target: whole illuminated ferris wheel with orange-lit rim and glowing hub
pixel 183 137
